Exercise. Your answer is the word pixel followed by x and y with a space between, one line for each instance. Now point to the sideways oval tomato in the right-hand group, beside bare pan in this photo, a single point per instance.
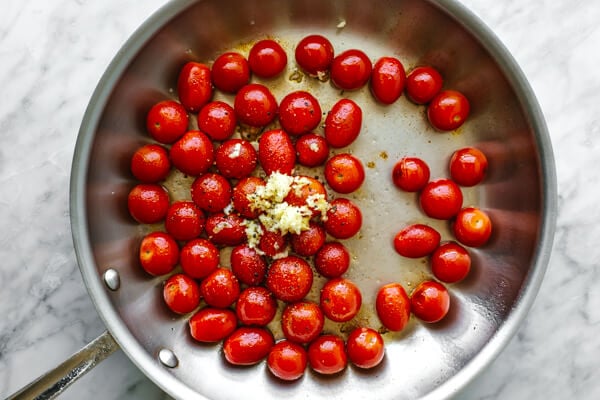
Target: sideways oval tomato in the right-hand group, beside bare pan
pixel 415 241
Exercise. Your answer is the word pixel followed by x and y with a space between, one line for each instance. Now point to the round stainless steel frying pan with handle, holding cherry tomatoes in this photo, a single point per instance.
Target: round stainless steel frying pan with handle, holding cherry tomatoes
pixel 423 361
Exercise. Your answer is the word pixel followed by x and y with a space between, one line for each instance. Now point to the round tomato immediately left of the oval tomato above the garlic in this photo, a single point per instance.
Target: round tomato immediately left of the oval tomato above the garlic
pixel 236 158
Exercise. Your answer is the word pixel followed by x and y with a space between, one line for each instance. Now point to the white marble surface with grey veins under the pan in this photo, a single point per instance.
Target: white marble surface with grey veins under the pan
pixel 52 55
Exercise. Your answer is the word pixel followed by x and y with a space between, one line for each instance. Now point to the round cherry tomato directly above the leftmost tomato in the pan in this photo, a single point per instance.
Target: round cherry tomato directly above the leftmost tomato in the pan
pixel 150 163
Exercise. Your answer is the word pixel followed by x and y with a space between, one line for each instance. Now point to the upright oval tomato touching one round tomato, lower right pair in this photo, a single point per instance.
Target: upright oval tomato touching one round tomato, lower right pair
pixel 393 306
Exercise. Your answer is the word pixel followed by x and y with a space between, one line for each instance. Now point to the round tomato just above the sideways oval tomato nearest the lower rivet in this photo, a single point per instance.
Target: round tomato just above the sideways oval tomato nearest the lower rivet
pixel 220 289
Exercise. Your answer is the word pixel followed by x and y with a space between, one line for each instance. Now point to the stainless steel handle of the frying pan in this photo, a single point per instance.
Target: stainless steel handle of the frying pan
pixel 54 382
